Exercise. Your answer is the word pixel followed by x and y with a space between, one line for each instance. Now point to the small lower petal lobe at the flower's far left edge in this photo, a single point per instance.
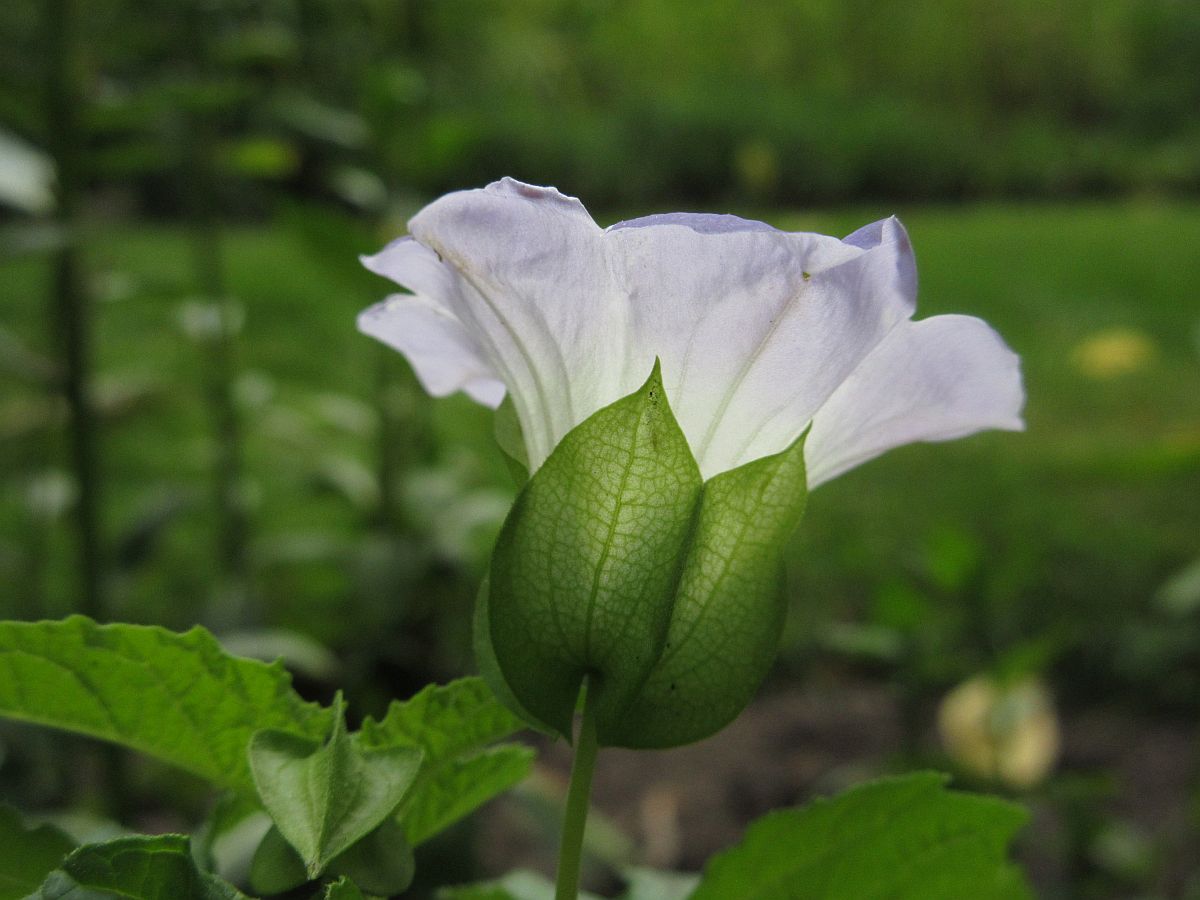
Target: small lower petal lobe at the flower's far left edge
pixel 442 353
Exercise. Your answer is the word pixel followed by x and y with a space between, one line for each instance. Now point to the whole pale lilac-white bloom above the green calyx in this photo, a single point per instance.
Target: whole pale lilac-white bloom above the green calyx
pixel 760 332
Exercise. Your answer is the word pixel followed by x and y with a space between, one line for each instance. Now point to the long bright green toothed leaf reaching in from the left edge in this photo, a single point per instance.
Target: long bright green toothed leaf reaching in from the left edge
pixel 178 698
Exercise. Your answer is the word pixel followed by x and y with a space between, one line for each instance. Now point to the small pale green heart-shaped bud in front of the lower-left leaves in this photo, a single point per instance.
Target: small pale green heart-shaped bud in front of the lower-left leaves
pixel 327 797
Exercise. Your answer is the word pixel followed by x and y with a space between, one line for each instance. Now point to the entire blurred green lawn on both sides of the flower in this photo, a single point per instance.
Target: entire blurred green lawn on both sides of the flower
pixel 1065 531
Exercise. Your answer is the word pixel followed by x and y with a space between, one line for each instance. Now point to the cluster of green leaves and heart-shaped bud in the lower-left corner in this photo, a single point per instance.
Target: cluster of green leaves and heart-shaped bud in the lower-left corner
pixel 338 800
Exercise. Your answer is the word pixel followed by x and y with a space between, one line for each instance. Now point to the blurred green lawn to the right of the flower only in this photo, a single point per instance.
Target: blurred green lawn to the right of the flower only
pixel 1069 530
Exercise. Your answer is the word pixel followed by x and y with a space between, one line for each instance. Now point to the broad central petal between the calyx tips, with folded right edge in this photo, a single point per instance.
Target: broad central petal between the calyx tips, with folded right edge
pixel 755 327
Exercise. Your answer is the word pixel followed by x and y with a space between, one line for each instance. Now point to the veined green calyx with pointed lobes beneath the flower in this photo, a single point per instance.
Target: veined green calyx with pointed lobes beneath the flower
pixel 620 565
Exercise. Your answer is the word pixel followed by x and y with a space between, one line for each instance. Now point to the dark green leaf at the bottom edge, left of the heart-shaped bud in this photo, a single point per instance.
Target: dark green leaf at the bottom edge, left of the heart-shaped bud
pixel 140 868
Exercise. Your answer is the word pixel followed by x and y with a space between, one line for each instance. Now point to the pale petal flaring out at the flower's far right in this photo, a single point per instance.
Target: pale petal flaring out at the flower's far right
pixel 941 379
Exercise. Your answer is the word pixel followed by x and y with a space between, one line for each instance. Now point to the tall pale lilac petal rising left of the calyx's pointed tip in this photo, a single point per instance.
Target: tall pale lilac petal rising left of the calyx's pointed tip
pixel 533 289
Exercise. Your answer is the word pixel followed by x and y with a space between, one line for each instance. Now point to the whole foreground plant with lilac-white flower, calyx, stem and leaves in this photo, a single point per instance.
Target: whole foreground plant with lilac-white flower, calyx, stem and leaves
pixel 667 392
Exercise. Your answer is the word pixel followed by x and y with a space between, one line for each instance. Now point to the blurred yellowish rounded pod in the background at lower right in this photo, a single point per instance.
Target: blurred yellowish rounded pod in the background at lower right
pixel 1004 733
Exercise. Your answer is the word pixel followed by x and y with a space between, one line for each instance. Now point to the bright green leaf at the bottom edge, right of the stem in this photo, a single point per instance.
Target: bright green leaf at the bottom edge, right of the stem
pixel 899 838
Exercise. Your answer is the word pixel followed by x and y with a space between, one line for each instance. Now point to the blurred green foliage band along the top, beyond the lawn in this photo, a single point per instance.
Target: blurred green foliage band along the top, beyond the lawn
pixel 794 104
